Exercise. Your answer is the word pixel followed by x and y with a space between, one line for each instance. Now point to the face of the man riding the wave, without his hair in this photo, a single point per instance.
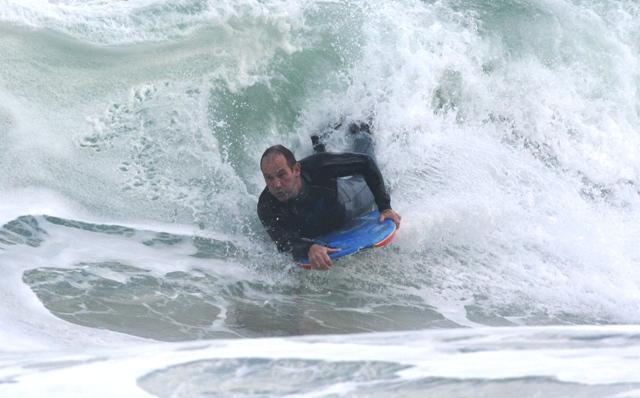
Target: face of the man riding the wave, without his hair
pixel 283 182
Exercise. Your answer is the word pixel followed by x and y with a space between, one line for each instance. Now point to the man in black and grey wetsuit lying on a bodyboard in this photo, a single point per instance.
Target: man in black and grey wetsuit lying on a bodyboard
pixel 309 198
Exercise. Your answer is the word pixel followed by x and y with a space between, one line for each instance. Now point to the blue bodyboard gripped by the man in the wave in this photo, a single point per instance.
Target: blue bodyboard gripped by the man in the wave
pixel 361 233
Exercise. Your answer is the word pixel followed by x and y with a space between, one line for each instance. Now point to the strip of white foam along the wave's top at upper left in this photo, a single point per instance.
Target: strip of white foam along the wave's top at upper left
pixel 123 22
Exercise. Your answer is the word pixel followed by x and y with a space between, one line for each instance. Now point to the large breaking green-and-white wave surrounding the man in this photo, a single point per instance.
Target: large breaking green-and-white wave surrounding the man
pixel 506 133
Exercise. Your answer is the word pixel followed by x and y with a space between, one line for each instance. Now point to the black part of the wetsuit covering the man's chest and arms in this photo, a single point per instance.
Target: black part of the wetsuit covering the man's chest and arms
pixel 316 210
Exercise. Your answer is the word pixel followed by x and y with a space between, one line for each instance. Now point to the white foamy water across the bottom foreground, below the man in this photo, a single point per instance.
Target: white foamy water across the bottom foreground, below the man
pixel 494 361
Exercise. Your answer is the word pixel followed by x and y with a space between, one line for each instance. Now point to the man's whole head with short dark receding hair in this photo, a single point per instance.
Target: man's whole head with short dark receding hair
pixel 281 172
